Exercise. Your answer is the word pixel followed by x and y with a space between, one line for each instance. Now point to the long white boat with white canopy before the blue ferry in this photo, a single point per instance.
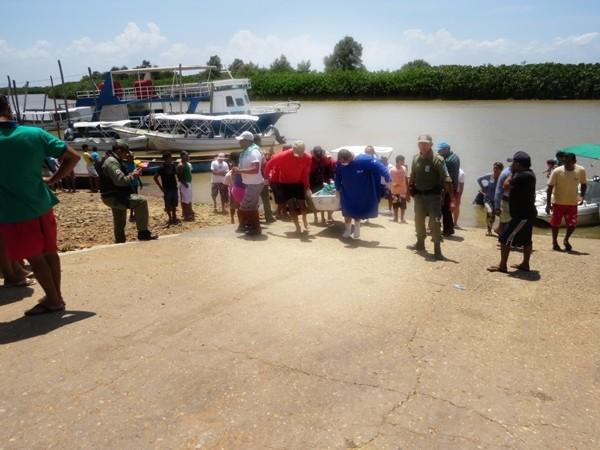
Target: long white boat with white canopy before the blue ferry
pixel 194 132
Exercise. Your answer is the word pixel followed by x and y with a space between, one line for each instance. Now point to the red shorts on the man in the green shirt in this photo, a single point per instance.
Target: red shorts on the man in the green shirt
pixel 31 238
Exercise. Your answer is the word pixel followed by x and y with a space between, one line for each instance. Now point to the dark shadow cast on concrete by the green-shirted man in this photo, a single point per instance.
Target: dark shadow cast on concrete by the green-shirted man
pixel 28 327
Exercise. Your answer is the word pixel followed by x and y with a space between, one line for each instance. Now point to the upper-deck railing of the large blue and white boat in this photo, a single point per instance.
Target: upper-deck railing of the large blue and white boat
pixel 169 91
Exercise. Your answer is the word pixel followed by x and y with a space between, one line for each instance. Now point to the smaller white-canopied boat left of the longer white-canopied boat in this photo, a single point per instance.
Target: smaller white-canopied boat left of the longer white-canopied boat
pixel 102 136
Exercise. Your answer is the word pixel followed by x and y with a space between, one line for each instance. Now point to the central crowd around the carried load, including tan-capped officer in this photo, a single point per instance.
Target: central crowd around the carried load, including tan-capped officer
pixel 362 180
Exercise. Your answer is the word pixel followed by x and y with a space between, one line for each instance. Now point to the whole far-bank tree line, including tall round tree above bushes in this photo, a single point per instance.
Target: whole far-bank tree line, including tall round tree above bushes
pixel 345 77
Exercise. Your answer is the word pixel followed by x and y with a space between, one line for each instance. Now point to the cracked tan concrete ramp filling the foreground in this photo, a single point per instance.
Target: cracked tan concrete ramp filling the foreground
pixel 207 340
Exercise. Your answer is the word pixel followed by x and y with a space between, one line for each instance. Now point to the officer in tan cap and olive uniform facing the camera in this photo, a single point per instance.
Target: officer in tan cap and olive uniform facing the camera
pixel 428 178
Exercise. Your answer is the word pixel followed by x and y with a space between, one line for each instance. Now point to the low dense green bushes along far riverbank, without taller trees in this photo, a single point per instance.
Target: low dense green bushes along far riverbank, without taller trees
pixel 527 81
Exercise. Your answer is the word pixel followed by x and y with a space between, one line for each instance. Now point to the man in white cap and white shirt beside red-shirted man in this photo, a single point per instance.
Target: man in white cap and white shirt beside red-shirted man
pixel 249 168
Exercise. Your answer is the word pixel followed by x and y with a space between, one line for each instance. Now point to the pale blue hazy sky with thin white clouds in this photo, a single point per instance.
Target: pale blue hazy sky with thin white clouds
pixel 102 34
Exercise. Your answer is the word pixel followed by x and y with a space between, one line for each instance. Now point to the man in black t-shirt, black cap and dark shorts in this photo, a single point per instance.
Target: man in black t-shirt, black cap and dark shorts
pixel 521 201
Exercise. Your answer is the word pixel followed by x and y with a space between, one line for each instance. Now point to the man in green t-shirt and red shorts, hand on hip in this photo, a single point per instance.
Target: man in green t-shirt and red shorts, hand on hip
pixel 27 222
